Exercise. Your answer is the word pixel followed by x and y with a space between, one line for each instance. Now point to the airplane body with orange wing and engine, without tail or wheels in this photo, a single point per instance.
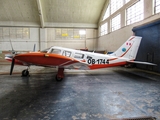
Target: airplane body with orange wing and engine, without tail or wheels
pixel 68 59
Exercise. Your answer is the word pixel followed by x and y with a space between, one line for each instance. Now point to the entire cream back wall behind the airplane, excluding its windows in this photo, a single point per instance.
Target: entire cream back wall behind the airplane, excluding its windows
pixel 44 38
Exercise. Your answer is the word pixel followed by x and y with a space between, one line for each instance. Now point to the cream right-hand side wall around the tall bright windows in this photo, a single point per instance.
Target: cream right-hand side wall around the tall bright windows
pixel 113 40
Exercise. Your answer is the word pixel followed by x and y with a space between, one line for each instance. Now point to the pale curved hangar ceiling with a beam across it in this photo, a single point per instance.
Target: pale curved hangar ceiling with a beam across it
pixel 51 13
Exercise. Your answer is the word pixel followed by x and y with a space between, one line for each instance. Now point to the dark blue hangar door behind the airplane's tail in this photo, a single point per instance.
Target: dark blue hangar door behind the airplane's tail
pixel 149 49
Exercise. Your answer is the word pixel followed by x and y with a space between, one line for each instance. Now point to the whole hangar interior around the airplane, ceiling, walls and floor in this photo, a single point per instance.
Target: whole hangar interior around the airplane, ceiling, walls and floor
pixel 99 26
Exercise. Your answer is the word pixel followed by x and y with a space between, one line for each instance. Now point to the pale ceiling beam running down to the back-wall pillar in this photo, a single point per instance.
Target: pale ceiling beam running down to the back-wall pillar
pixel 40 13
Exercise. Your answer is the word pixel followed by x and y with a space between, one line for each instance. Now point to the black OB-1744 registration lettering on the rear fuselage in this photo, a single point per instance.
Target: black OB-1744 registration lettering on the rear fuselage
pixel 98 61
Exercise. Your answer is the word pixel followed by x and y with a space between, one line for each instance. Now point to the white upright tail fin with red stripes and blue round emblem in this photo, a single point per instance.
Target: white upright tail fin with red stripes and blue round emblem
pixel 129 49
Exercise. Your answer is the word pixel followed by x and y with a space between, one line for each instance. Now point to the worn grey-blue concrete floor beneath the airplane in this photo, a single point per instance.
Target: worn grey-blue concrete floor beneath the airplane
pixel 92 95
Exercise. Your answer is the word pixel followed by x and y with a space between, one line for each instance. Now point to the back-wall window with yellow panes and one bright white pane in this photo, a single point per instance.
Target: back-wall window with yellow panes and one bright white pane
pixel 69 34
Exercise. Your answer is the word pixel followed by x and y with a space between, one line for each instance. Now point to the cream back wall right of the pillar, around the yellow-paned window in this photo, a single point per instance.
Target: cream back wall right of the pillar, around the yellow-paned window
pixel 75 44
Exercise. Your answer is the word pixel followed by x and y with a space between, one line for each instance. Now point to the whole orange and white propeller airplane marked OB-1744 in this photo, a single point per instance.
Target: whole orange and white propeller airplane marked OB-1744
pixel 65 58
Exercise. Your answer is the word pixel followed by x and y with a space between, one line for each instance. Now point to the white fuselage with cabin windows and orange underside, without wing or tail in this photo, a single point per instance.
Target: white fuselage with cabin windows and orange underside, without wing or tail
pixel 94 60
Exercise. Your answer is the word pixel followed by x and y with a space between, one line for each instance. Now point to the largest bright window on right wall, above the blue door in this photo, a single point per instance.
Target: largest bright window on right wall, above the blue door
pixel 135 13
